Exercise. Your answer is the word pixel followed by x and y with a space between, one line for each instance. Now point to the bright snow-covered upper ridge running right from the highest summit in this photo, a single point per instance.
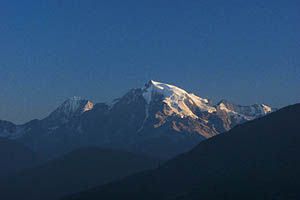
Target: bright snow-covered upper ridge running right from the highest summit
pixel 179 101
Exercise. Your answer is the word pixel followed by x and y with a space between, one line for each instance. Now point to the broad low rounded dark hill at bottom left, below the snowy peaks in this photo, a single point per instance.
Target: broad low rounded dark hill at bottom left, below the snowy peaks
pixel 75 171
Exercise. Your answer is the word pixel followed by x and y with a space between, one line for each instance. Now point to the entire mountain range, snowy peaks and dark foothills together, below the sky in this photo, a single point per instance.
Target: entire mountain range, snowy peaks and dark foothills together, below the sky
pixel 155 142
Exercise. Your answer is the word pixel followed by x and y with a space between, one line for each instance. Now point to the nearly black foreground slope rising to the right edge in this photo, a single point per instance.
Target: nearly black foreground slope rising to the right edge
pixel 256 160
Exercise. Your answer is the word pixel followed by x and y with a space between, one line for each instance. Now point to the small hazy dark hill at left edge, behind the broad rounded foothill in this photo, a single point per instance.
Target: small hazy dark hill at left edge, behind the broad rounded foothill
pixel 15 156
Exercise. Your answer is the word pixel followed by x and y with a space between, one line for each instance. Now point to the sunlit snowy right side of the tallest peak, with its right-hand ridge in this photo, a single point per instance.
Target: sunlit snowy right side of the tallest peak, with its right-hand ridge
pixel 197 114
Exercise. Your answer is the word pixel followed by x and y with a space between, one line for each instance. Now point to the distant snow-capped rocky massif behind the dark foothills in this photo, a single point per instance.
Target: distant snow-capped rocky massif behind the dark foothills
pixel 159 119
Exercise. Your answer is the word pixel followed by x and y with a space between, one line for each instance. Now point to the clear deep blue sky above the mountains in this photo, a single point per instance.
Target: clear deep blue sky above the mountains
pixel 244 51
